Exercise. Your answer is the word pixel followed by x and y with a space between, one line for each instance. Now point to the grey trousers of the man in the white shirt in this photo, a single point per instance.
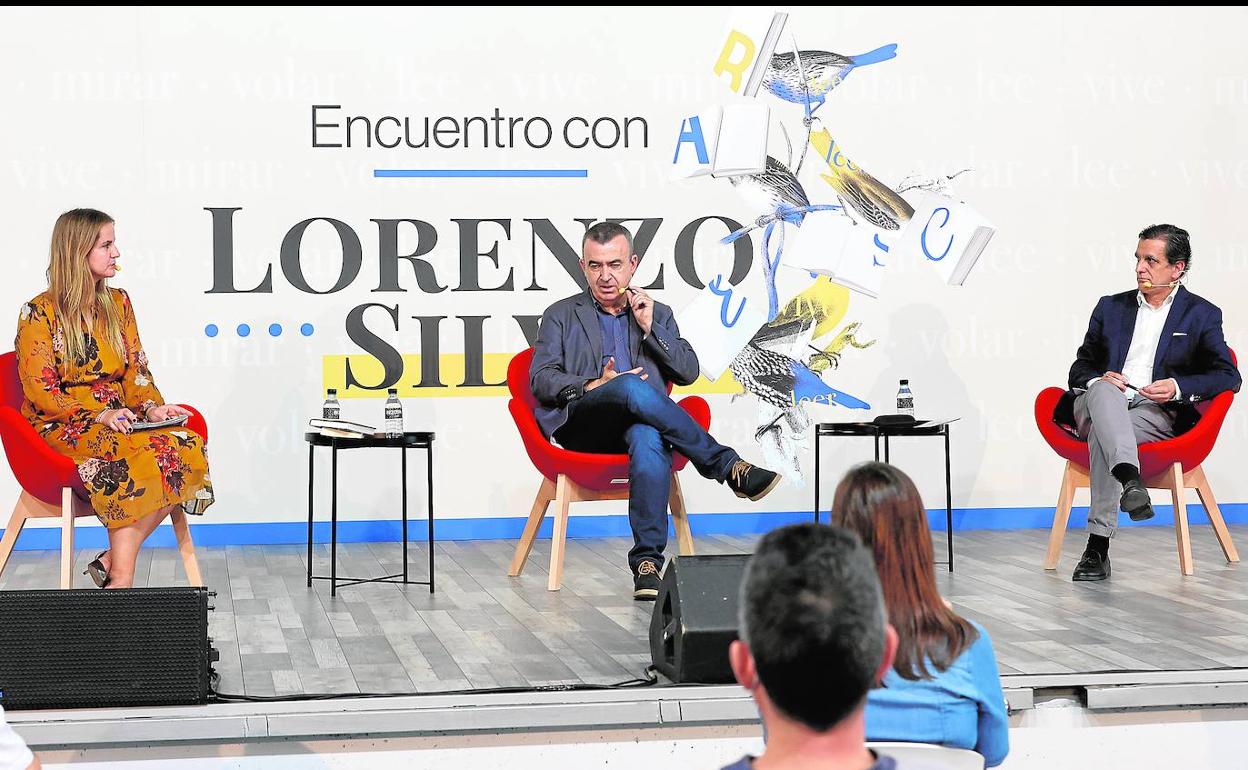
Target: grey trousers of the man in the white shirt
pixel 1114 427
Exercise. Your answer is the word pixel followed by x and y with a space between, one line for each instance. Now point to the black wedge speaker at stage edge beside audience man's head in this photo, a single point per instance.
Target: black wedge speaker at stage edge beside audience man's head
pixel 696 618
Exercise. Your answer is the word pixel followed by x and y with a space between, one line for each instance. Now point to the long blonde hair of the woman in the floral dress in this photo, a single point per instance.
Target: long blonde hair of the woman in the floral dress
pixel 77 295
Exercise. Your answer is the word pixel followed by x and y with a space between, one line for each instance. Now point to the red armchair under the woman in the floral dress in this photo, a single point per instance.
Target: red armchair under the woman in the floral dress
pixel 51 484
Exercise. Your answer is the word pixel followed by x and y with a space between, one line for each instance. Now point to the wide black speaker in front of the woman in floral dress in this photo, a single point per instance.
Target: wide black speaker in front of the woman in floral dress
pixel 66 650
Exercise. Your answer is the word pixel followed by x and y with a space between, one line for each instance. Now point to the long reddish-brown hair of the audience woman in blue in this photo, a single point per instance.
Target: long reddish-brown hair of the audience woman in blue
pixel 882 506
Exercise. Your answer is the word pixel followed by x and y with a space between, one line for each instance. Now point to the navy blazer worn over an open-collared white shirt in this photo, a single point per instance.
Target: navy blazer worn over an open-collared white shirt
pixel 1192 350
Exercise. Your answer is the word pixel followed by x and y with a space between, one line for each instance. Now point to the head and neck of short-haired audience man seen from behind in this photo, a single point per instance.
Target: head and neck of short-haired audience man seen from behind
pixel 814 641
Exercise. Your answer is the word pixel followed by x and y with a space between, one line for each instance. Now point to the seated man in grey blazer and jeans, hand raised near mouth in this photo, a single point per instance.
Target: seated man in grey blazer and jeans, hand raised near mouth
pixel 600 373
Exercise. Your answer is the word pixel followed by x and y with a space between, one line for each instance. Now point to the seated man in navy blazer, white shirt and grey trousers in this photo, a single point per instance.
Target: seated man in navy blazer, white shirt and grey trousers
pixel 1148 359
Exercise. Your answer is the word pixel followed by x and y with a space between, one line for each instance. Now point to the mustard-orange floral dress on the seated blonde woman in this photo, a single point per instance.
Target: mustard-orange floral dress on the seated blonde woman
pixel 127 476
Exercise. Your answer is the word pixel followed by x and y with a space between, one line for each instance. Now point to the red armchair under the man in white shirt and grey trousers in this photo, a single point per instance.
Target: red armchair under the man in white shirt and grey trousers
pixel 1170 465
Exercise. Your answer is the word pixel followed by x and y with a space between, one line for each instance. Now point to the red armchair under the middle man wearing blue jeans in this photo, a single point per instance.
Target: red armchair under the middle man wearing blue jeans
pixel 571 477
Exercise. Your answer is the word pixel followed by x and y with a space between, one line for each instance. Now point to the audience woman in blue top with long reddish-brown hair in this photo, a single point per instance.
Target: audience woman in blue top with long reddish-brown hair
pixel 944 687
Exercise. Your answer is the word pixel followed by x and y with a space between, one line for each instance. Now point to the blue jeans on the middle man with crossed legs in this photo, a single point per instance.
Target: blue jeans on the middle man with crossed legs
pixel 630 415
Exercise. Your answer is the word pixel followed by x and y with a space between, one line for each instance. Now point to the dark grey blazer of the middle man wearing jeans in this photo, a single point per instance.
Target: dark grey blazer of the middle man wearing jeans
pixel 570 354
